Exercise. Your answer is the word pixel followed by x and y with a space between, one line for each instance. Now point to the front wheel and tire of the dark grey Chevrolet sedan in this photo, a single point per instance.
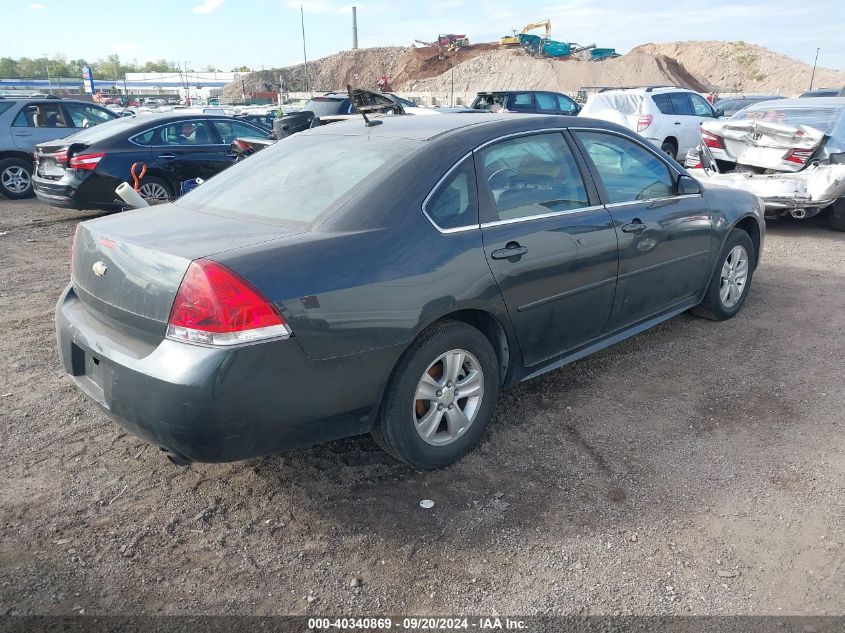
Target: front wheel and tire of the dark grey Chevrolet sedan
pixel 725 295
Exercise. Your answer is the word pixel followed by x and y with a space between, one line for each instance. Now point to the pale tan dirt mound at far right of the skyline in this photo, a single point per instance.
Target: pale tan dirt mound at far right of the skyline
pixel 741 67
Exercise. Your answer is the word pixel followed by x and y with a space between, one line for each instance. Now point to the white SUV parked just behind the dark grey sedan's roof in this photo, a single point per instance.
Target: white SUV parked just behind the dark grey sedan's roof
pixel 668 117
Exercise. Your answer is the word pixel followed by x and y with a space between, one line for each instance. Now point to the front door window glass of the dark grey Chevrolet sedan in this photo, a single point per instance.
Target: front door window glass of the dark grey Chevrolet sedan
pixel 628 171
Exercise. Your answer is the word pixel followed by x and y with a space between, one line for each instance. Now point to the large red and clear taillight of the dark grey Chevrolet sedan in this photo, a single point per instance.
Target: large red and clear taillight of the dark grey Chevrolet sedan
pixel 215 306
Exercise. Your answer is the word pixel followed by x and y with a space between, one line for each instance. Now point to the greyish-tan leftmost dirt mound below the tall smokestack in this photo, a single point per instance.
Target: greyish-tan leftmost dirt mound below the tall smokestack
pixel 361 68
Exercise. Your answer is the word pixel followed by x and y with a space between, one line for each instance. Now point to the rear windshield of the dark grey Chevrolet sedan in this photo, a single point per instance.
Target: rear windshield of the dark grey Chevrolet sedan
pixel 300 178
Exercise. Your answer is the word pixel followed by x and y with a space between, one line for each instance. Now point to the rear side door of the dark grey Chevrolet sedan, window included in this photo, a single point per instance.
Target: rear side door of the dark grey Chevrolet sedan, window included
pixel 550 245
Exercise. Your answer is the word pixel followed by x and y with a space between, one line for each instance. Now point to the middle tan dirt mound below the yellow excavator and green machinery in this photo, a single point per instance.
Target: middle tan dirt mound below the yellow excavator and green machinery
pixel 512 68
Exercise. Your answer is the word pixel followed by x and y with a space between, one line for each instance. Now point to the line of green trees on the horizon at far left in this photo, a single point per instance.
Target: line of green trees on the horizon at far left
pixel 109 68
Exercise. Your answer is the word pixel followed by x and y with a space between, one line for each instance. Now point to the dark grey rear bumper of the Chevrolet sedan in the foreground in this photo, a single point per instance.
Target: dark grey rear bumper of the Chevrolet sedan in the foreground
pixel 214 405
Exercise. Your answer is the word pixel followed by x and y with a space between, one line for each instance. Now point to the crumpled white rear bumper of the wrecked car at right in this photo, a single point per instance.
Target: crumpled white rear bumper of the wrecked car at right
pixel 802 194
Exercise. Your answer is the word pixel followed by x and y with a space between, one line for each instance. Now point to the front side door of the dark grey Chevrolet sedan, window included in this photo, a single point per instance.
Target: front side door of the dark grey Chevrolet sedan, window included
pixel 664 238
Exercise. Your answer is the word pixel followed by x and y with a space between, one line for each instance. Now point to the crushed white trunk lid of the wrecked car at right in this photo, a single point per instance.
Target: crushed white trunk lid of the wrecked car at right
pixel 767 144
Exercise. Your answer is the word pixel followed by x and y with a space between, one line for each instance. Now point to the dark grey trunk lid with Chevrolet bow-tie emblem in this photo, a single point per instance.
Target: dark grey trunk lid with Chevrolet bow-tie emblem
pixel 127 268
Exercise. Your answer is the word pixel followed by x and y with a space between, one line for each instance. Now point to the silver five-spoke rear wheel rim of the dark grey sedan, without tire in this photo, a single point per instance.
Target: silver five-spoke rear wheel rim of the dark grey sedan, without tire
pixel 448 397
